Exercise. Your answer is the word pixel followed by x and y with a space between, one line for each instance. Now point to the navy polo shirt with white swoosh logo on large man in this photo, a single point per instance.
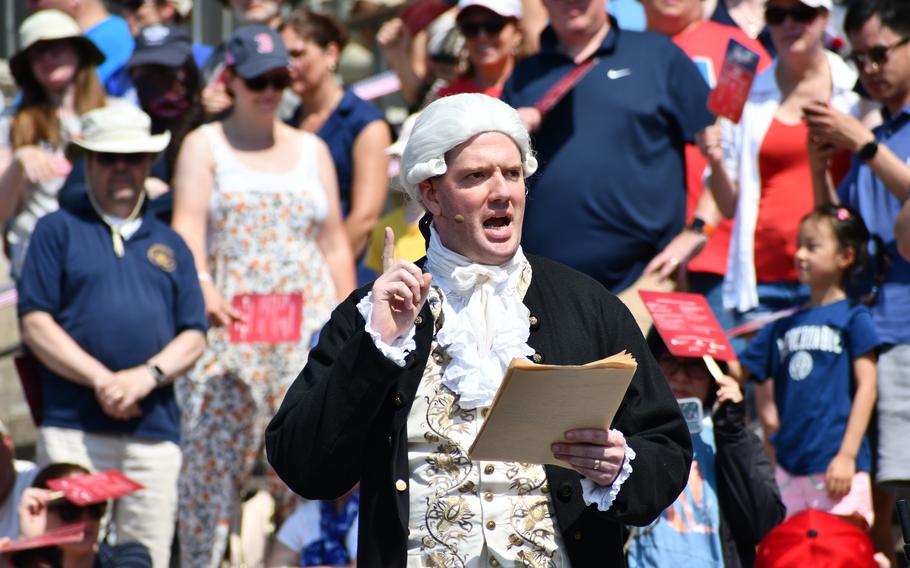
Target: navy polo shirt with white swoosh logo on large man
pixel 611 187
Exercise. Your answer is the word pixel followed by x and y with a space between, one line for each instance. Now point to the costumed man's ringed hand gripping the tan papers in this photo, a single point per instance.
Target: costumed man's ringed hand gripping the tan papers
pixel 595 454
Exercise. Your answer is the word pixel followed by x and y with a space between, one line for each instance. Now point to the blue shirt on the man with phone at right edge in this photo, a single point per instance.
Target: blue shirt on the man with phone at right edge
pixel 865 193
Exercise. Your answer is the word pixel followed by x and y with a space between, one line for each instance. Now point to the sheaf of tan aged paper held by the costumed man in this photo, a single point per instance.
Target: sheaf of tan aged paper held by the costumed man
pixel 537 404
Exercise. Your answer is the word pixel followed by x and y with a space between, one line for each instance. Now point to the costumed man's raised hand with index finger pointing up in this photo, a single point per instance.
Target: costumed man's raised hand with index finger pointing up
pixel 398 295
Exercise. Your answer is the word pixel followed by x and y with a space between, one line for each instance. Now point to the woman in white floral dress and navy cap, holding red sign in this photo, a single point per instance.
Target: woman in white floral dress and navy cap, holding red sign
pixel 257 203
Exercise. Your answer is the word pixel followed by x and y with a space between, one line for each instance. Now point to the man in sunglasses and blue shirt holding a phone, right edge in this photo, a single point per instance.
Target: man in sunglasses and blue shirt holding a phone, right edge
pixel 877 184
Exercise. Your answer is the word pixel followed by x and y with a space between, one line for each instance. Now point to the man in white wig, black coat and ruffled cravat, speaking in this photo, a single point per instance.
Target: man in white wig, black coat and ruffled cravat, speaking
pixel 398 387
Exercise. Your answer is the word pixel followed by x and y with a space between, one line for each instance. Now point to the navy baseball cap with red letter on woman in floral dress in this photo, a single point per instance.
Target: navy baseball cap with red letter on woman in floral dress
pixel 255 50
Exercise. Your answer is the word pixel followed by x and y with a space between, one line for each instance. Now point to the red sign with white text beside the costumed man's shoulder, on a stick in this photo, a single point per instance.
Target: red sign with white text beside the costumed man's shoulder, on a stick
pixel 687 325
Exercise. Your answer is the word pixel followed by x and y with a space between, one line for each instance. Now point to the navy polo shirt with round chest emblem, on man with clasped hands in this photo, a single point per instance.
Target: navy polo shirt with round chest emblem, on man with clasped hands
pixel 122 311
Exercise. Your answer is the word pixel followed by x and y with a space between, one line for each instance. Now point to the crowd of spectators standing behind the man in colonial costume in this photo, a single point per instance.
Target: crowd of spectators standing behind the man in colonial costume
pixel 171 171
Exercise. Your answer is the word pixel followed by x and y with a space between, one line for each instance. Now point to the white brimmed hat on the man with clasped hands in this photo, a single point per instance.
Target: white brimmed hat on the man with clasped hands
pixel 119 129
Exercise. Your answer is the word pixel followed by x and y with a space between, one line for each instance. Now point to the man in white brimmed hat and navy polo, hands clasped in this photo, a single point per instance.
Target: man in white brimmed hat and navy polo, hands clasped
pixel 110 304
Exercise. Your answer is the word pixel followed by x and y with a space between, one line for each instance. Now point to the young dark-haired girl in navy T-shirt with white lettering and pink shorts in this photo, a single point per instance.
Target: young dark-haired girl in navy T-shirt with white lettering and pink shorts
pixel 822 361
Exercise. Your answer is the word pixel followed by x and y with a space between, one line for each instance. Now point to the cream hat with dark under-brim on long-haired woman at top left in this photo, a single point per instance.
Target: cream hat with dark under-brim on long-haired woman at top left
pixel 50 25
